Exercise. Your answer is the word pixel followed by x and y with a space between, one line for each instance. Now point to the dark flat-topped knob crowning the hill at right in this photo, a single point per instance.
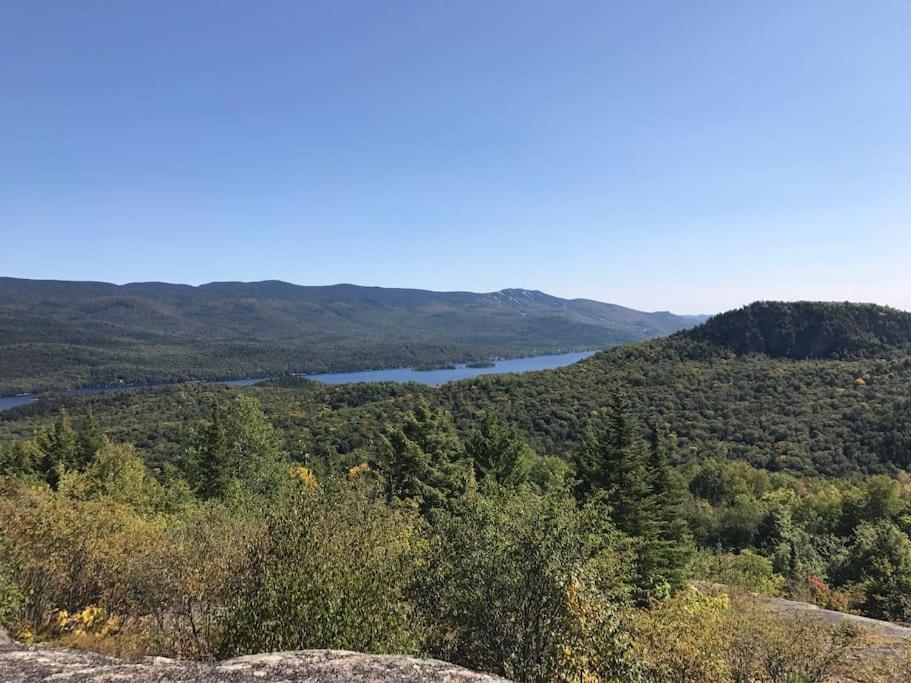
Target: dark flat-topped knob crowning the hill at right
pixel 806 329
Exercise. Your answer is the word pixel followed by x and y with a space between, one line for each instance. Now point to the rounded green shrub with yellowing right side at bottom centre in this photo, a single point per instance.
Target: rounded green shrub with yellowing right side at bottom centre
pixel 523 584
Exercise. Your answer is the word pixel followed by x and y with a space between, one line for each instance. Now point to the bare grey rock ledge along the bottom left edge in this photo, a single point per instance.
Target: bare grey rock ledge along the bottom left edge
pixel 25 664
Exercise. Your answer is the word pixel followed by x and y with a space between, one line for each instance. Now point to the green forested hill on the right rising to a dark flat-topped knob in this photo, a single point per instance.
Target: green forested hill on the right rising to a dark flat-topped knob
pixel 716 395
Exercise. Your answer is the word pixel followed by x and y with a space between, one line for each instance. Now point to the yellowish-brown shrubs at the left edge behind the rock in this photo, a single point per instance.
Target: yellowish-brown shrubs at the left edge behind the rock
pixel 161 578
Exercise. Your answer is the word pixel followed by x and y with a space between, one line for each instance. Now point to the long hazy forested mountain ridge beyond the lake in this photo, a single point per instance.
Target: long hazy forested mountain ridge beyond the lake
pixel 56 334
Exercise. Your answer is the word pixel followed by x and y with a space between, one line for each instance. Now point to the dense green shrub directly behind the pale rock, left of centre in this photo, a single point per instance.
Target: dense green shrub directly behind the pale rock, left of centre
pixel 331 570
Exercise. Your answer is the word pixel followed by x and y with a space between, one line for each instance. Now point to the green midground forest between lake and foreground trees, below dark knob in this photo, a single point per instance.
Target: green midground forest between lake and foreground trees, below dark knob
pixel 812 416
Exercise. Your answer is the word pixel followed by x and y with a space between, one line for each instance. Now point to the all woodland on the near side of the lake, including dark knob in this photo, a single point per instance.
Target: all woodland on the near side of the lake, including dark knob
pixel 545 526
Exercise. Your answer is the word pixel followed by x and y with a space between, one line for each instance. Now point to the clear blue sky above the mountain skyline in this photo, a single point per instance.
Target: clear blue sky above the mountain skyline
pixel 690 156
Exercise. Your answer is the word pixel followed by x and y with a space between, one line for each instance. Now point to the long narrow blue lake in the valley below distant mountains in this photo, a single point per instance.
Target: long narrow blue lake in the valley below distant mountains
pixel 430 377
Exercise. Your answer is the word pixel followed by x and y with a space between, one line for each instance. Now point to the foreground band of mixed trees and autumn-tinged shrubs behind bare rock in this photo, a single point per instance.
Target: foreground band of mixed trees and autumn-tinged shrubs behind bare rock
pixel 237 549
